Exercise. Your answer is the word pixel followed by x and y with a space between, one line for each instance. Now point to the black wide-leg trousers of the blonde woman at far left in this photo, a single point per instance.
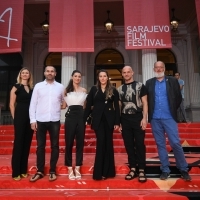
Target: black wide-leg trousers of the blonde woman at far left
pixel 21 147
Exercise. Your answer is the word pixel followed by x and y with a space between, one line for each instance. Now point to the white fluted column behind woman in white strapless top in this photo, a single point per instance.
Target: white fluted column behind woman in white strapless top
pixel 68 66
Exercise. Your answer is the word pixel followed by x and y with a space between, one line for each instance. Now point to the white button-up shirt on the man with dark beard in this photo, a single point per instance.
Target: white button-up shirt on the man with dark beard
pixel 46 102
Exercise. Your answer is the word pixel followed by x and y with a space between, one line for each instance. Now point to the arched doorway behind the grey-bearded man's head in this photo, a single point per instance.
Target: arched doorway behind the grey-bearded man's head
pixel 169 59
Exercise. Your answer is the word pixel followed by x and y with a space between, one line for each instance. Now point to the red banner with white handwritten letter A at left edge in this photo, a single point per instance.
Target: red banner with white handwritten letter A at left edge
pixel 11 22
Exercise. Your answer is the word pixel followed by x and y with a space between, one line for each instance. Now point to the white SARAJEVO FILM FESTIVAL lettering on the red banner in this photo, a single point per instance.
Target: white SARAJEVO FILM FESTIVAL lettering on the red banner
pixel 138 35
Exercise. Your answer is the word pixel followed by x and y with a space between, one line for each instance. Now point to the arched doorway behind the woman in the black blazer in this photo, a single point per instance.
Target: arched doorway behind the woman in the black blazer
pixel 112 61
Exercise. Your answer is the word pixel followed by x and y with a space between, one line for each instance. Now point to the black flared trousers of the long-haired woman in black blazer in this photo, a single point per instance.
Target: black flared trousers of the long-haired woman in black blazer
pixel 104 160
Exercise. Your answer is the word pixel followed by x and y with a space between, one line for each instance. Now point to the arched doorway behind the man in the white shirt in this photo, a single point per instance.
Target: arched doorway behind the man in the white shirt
pixel 54 59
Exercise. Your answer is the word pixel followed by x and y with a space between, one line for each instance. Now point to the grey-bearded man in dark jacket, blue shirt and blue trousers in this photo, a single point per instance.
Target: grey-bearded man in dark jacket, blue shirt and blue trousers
pixel 164 97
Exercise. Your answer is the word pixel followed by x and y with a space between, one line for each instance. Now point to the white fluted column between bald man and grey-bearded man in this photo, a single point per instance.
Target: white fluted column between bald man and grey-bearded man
pixel 149 57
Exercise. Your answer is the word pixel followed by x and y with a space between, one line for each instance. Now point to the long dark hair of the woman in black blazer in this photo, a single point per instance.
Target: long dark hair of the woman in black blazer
pixel 109 87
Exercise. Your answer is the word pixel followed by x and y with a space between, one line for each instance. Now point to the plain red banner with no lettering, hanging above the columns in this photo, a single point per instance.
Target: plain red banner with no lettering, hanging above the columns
pixel 71 26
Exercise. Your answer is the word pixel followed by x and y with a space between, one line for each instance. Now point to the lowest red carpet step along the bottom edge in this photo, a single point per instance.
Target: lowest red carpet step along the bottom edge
pixel 102 194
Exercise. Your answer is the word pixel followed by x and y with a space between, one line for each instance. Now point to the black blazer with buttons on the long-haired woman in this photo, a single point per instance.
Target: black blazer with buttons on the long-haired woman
pixel 100 105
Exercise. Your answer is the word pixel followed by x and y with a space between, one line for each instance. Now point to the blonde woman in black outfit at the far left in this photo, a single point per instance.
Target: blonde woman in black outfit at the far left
pixel 20 97
